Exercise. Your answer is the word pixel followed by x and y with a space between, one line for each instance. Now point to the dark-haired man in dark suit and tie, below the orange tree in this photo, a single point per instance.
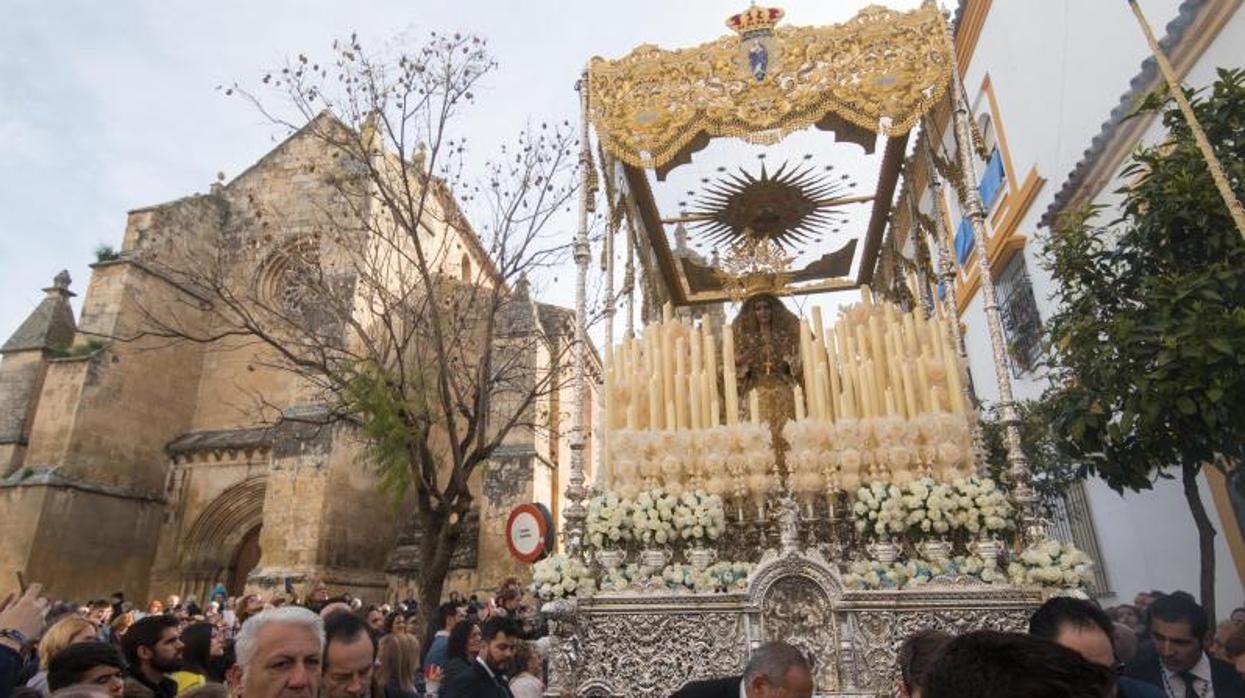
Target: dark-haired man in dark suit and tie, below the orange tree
pixel 1180 665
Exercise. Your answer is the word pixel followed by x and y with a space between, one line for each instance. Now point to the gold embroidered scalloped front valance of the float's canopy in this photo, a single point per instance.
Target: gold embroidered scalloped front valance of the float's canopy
pixel 882 70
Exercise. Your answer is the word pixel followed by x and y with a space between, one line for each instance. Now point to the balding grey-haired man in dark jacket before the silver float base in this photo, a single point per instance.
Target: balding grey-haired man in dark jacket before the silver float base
pixel 776 670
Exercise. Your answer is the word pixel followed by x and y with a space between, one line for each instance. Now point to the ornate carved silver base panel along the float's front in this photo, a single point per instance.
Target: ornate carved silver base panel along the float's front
pixel 652 645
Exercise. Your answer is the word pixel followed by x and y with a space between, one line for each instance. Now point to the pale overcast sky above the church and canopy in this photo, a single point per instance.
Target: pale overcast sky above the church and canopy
pixel 111 106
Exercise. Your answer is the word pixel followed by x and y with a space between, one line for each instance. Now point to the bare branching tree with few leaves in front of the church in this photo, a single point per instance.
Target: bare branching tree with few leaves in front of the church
pixel 389 308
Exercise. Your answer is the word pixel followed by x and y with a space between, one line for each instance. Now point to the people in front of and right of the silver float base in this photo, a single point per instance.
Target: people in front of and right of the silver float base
pixel 1161 648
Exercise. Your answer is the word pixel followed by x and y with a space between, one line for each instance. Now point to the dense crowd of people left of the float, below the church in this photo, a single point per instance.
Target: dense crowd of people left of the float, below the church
pixel 256 648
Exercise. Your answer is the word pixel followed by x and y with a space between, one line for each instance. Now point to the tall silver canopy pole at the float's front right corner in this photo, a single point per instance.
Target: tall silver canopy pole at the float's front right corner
pixel 1018 465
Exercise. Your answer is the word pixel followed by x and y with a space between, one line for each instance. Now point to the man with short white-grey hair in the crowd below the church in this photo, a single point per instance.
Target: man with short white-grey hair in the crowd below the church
pixel 278 655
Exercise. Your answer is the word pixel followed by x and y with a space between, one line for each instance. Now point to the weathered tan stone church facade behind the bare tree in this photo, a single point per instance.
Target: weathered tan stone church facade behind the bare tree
pixel 146 467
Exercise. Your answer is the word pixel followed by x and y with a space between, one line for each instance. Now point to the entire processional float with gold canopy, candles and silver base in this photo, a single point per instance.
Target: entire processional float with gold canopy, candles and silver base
pixel 812 480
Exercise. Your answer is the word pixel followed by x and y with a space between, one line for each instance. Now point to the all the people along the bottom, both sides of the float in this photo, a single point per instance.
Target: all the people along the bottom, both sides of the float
pixel 1162 646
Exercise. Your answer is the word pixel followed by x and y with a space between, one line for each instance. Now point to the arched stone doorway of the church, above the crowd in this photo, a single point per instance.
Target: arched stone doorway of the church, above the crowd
pixel 222 546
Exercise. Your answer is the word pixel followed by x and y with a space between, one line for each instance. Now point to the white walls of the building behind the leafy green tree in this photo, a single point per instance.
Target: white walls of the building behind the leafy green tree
pixel 1058 69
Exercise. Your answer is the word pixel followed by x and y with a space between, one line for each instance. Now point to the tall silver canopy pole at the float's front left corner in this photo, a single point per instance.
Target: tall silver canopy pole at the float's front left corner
pixel 575 512
